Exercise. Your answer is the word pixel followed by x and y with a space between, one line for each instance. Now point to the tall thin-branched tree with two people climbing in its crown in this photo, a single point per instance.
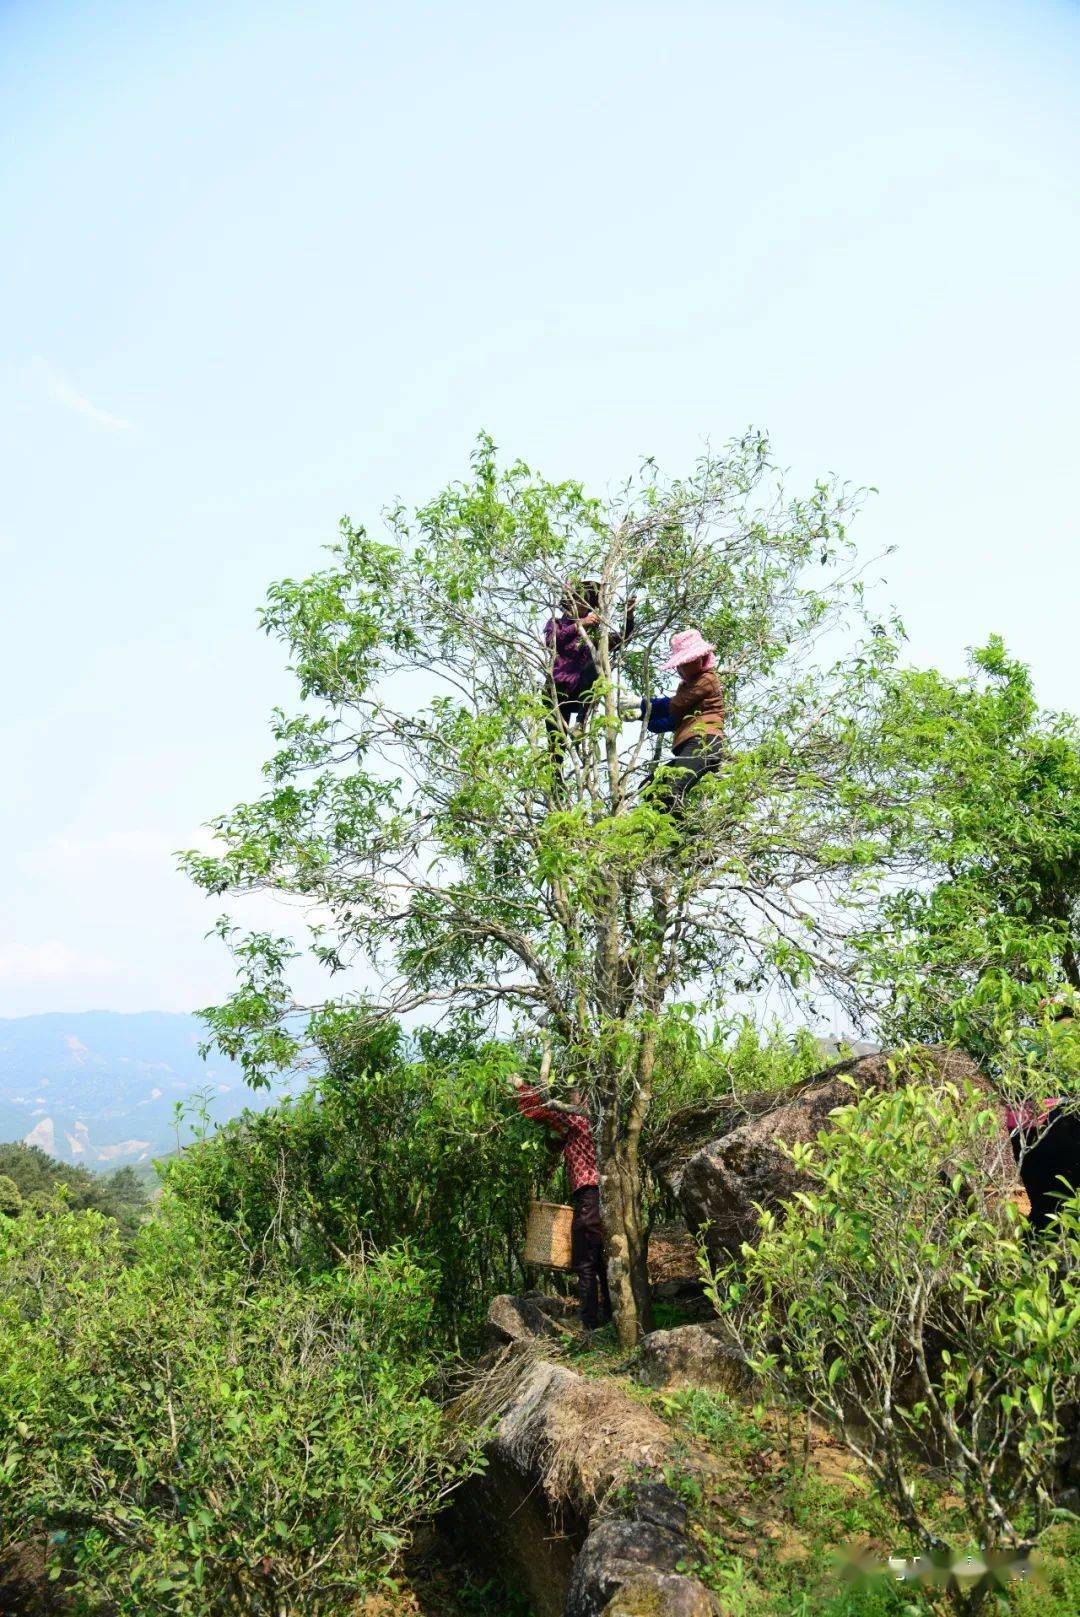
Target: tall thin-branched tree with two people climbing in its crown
pixel 418 804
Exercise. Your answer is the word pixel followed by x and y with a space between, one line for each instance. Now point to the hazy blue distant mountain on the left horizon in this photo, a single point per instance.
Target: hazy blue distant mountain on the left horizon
pixel 99 1087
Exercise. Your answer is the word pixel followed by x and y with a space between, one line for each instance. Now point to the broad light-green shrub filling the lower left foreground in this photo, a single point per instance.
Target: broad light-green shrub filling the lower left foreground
pixel 201 1433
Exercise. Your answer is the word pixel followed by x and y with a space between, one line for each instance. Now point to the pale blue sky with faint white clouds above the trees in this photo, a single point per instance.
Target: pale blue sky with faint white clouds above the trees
pixel 263 264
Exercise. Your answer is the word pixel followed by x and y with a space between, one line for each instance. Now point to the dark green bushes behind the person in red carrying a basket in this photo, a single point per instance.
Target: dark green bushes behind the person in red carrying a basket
pixel 411 1144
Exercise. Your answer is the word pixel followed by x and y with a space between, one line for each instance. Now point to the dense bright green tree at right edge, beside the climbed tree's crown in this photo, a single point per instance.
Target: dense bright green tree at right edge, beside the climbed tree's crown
pixel 984 916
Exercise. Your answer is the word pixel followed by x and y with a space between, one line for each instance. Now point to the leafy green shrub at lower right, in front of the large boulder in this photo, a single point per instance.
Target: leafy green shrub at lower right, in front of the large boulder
pixel 901 1301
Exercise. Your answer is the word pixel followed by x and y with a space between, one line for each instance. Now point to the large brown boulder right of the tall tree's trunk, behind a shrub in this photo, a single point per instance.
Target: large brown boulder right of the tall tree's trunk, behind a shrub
pixel 725 1183
